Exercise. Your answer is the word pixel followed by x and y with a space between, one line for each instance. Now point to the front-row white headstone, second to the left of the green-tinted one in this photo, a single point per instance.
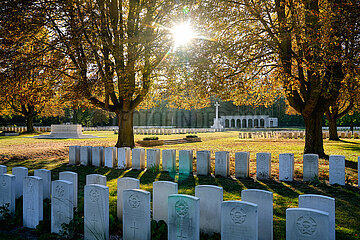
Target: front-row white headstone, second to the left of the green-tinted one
pixel 96 212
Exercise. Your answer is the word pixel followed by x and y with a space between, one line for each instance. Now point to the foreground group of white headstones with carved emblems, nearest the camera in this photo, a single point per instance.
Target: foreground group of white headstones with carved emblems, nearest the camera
pixel 185 215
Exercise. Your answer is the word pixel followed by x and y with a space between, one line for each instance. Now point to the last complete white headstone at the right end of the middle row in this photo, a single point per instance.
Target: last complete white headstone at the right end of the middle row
pixel 337 169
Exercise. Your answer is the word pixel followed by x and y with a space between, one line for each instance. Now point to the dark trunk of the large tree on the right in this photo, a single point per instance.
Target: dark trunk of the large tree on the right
pixel 313 134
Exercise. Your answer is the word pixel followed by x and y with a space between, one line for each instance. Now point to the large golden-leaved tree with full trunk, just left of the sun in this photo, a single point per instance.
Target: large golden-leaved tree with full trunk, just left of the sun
pixel 115 47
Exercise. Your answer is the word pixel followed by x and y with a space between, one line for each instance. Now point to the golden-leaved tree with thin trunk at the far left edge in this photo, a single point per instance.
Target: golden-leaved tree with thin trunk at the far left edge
pixel 28 79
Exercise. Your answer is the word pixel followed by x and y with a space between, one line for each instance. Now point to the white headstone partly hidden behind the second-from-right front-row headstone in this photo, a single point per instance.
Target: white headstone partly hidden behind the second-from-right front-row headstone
pixel 264 200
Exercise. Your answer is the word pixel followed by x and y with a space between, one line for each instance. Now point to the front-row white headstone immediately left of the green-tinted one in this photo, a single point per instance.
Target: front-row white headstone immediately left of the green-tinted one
pixel 136 214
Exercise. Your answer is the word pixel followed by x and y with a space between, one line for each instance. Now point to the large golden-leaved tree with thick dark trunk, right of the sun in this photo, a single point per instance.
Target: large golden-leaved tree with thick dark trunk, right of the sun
pixel 296 42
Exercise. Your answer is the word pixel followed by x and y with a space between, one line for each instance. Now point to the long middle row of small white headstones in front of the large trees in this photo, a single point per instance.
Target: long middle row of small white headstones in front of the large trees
pixel 120 158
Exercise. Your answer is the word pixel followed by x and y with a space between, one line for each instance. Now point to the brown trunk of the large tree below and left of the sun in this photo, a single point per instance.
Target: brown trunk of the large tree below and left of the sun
pixel 126 133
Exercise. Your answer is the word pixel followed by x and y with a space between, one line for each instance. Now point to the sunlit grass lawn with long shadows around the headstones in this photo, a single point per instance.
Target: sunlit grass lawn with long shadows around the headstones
pixel 52 154
